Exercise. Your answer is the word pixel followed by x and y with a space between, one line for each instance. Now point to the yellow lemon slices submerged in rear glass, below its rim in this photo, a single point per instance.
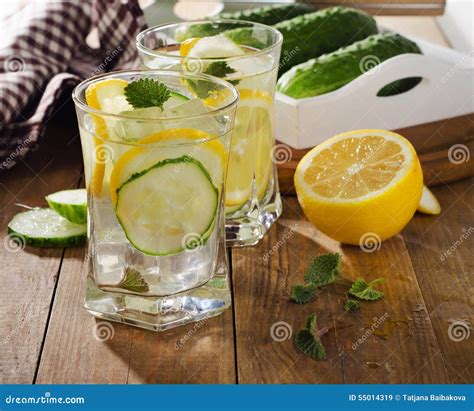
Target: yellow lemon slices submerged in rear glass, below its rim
pixel 251 147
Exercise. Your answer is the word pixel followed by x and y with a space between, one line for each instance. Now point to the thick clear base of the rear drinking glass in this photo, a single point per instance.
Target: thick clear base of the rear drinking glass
pixel 246 229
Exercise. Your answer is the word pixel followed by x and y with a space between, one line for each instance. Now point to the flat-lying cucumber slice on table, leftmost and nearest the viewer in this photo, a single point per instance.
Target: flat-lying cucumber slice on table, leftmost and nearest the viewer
pixel 44 227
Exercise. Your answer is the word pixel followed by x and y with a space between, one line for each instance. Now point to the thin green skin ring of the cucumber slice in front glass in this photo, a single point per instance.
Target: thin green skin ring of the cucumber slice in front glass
pixel 162 163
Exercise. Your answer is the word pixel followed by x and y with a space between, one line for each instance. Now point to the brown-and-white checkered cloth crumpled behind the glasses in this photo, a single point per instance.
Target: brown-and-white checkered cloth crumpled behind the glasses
pixel 43 52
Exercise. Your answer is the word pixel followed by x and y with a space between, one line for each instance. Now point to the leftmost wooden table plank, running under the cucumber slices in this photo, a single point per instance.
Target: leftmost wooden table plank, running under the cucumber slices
pixel 28 276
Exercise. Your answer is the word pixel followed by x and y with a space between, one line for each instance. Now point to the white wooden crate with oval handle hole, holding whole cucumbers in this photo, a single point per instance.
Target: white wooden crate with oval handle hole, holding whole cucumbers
pixel 447 90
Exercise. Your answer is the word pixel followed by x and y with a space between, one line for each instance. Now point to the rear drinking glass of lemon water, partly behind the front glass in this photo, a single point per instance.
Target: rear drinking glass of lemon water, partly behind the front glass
pixel 252 201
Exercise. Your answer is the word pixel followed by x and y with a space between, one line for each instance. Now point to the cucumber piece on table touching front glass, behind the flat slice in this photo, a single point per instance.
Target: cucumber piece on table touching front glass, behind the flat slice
pixel 71 204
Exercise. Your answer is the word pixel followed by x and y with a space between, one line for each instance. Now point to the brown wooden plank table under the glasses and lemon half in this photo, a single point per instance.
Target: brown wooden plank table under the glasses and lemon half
pixel 46 336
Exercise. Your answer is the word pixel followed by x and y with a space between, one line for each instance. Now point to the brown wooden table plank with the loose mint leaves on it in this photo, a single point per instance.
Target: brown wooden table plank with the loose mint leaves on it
pixel 399 339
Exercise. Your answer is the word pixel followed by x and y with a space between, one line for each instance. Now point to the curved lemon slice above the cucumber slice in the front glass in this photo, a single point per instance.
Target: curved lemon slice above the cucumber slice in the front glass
pixel 197 144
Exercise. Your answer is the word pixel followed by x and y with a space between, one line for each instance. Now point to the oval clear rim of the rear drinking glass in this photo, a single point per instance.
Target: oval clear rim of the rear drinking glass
pixel 146 50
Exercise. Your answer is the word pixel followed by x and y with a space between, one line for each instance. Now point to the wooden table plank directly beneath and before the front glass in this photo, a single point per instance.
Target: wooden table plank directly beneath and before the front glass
pixel 111 353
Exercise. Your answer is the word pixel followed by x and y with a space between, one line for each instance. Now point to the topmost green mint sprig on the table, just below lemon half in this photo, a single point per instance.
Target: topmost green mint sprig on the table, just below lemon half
pixel 322 271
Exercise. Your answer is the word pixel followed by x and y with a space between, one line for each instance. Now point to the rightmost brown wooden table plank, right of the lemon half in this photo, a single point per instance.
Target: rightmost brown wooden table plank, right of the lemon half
pixel 441 249
